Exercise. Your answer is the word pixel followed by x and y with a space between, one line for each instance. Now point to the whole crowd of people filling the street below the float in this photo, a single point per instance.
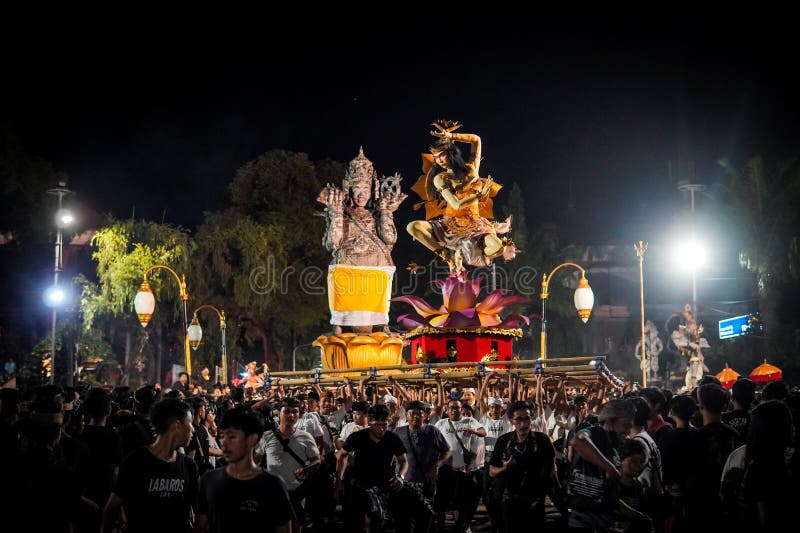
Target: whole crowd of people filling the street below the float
pixel 392 456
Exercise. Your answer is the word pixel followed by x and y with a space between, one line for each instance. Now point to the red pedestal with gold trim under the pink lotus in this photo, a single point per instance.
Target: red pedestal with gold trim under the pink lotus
pixel 442 345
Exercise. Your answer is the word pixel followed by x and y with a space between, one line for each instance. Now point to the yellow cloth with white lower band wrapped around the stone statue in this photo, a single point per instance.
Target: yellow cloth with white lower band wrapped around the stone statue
pixel 359 295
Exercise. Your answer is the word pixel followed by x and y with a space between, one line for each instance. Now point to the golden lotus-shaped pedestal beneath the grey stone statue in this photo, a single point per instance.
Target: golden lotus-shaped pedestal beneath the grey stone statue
pixel 351 350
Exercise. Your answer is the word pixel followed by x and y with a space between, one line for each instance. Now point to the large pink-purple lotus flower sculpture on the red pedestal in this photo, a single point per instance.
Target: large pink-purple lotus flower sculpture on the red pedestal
pixel 461 308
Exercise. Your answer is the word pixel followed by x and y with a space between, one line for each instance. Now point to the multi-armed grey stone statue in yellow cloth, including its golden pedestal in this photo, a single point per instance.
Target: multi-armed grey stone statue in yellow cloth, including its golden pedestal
pixel 360 234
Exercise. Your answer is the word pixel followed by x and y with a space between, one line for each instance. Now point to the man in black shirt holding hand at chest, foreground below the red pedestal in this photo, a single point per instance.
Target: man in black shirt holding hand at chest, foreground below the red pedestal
pixel 522 463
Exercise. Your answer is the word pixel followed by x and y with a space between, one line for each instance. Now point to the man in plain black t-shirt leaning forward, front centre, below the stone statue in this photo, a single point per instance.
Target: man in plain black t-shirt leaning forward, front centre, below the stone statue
pixel 373 485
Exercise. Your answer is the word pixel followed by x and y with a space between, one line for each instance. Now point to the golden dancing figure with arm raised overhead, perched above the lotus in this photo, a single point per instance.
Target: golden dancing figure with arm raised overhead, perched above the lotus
pixel 458 205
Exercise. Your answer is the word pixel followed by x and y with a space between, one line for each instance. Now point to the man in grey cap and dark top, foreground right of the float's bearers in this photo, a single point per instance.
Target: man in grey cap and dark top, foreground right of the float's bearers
pixel 592 488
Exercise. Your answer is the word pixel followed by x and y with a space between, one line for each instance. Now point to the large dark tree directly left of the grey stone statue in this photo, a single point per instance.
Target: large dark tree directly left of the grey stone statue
pixel 266 252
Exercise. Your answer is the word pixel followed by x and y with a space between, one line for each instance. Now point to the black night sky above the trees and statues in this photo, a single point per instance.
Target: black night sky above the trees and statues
pixel 160 117
